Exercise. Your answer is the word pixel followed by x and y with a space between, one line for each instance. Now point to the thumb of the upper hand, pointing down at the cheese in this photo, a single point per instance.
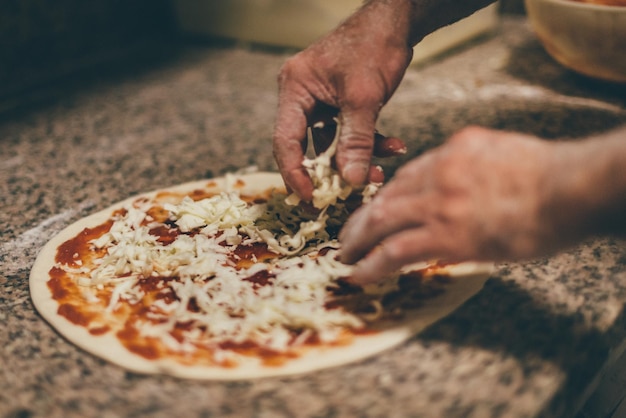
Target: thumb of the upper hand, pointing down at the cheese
pixel 356 145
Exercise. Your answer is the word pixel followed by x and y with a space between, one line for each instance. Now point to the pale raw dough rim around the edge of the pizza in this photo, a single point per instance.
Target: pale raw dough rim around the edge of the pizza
pixel 469 279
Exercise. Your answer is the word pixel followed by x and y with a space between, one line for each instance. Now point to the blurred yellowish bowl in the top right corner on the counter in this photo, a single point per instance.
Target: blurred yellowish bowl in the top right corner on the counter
pixel 589 38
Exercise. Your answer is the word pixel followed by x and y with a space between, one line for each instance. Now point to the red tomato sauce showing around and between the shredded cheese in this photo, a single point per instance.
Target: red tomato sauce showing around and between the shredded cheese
pixel 126 320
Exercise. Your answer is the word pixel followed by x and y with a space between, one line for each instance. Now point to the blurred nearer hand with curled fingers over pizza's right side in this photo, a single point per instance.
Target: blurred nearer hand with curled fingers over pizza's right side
pixel 483 195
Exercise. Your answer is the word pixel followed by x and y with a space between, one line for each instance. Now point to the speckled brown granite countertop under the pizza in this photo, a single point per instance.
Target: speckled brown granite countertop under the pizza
pixel 531 343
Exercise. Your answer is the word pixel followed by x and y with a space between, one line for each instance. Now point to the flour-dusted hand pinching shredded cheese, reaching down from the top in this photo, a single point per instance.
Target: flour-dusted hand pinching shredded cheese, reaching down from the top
pixel 350 74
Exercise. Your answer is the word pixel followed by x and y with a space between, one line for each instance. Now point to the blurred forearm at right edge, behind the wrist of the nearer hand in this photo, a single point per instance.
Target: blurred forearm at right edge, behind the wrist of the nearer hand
pixel 589 191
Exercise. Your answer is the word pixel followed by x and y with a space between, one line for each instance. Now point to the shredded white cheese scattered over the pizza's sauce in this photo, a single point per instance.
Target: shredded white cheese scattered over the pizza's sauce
pixel 199 263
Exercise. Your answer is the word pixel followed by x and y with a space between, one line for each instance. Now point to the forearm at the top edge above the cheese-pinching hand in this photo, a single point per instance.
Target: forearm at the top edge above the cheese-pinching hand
pixel 414 19
